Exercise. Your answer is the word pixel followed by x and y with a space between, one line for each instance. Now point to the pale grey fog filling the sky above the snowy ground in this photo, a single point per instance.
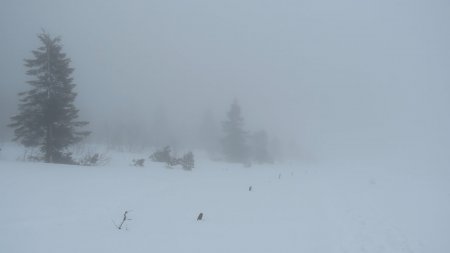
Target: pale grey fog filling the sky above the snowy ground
pixel 350 79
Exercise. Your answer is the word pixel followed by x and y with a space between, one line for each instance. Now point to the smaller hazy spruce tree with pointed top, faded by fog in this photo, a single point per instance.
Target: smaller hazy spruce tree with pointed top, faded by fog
pixel 234 143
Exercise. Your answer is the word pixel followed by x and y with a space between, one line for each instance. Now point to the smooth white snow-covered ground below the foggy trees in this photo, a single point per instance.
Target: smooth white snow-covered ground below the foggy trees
pixel 293 207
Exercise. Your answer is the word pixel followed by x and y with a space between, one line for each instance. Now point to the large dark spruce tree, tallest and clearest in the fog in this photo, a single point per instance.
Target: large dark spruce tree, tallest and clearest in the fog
pixel 47 115
